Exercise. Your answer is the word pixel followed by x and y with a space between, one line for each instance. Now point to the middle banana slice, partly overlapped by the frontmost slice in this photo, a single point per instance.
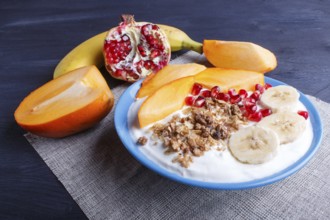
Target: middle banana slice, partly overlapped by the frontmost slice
pixel 287 125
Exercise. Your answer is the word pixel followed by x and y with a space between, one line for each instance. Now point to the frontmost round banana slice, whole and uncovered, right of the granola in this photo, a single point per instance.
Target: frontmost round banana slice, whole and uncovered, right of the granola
pixel 254 145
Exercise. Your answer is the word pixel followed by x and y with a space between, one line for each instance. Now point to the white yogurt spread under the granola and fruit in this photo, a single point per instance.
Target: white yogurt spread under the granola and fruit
pixel 216 166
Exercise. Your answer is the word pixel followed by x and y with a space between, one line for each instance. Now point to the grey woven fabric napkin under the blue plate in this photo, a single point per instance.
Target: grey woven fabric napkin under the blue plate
pixel 108 183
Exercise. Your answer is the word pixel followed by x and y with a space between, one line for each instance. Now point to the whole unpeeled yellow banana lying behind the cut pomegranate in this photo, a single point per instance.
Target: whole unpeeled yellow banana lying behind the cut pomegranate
pixel 90 52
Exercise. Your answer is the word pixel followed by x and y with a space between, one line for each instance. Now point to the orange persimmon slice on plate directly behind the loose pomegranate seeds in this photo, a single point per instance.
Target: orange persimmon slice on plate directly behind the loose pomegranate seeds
pixel 227 79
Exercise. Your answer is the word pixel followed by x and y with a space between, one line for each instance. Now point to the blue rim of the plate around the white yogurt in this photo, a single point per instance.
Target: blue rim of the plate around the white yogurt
pixel 123 131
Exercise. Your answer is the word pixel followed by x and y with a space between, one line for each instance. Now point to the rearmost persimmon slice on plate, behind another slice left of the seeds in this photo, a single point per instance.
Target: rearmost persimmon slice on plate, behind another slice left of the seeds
pixel 167 74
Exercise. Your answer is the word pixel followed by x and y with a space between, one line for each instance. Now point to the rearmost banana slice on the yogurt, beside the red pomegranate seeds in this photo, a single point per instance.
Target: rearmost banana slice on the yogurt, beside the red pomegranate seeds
pixel 280 98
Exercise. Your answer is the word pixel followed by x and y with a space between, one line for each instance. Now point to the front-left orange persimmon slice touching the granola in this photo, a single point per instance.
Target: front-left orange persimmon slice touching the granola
pixel 166 100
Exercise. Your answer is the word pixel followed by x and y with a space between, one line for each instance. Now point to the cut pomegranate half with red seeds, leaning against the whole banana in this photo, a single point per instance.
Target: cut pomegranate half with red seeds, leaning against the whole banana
pixel 133 50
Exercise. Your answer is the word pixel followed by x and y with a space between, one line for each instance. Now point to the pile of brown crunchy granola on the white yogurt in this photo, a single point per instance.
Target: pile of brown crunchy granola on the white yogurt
pixel 199 130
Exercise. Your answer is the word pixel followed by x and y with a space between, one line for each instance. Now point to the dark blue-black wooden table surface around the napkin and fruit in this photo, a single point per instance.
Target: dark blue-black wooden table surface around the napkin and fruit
pixel 36 34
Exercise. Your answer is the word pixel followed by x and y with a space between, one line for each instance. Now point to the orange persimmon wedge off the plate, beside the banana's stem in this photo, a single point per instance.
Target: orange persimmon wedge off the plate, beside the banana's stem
pixel 239 55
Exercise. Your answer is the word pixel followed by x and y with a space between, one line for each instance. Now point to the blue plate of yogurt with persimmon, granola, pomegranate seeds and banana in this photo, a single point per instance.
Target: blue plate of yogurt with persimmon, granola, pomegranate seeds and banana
pixel 218 129
